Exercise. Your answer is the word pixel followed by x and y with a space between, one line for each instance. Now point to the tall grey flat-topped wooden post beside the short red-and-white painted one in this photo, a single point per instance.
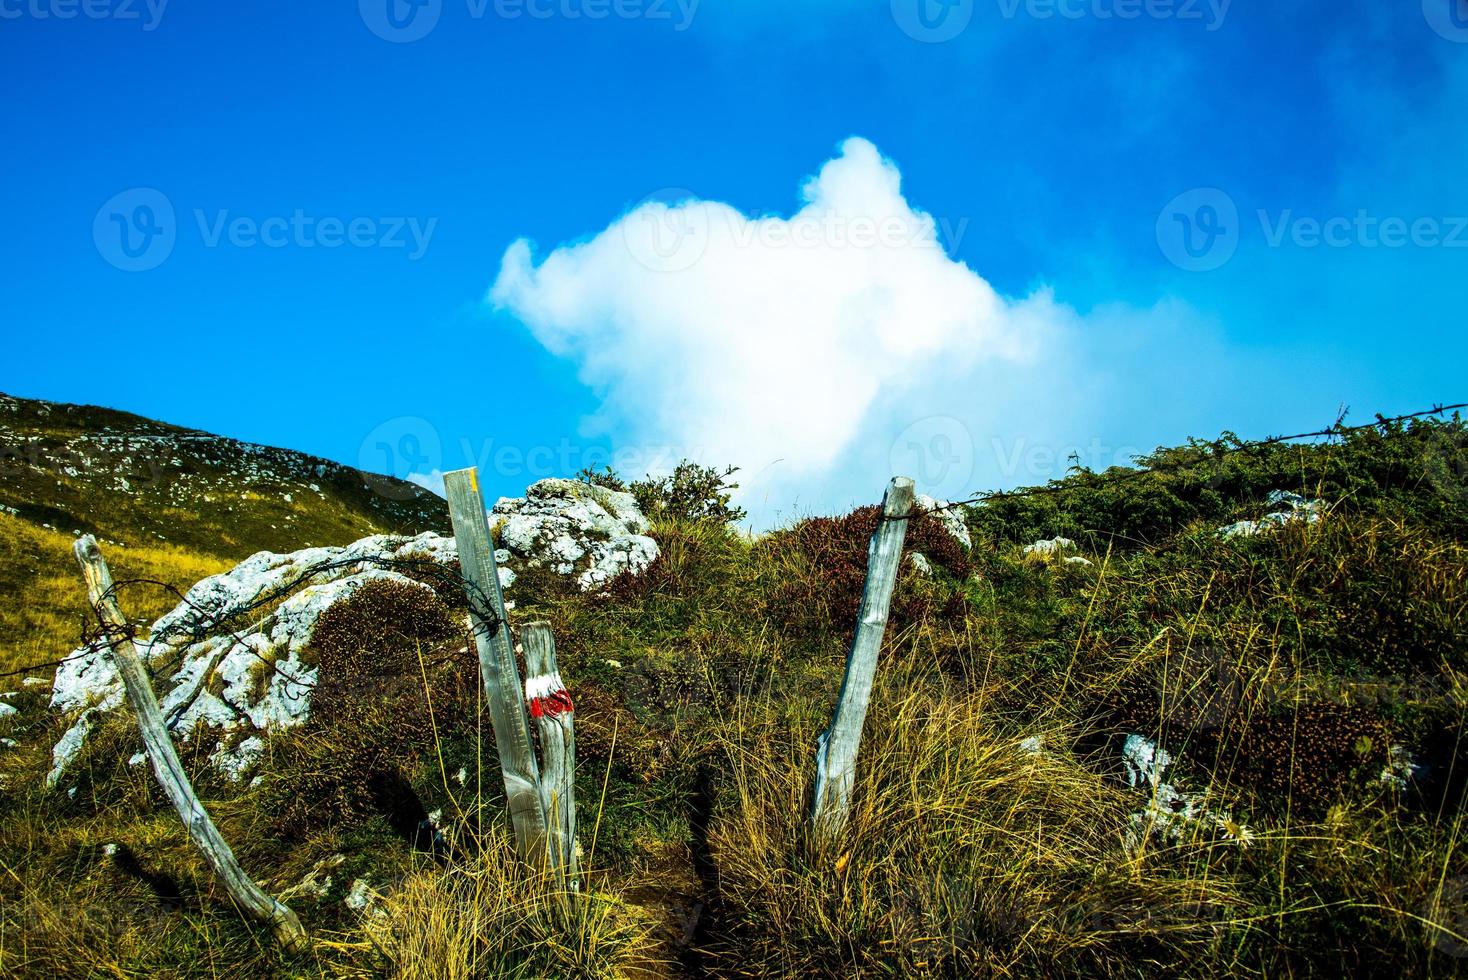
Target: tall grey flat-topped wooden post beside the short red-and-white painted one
pixel 497 664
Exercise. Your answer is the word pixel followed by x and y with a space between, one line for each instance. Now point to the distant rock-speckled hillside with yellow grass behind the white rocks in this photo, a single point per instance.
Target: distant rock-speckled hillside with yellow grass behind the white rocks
pixel 170 504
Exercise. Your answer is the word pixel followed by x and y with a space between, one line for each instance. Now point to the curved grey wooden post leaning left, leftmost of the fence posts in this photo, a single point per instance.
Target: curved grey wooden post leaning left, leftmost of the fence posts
pixel 165 759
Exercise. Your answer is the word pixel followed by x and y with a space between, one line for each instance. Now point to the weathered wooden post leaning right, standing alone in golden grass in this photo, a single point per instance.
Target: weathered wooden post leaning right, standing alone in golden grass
pixel 837 747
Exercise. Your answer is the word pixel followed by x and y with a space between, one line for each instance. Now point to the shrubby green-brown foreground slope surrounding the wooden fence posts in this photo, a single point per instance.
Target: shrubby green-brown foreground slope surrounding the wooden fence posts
pixel 995 833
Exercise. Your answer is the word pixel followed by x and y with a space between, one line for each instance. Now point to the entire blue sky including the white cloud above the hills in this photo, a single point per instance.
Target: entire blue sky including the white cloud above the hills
pixel 318 205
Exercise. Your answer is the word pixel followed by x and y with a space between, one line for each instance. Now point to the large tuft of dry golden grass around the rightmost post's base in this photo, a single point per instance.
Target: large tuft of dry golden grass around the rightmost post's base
pixel 965 856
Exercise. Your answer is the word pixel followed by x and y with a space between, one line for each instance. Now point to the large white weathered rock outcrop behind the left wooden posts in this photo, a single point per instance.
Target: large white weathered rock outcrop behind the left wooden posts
pixel 240 673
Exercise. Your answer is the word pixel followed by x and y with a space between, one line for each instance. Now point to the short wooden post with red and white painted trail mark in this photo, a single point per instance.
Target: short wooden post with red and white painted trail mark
pixel 553 711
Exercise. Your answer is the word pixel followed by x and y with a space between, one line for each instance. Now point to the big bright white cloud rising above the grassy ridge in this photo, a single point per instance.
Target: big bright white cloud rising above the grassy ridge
pixel 818 351
